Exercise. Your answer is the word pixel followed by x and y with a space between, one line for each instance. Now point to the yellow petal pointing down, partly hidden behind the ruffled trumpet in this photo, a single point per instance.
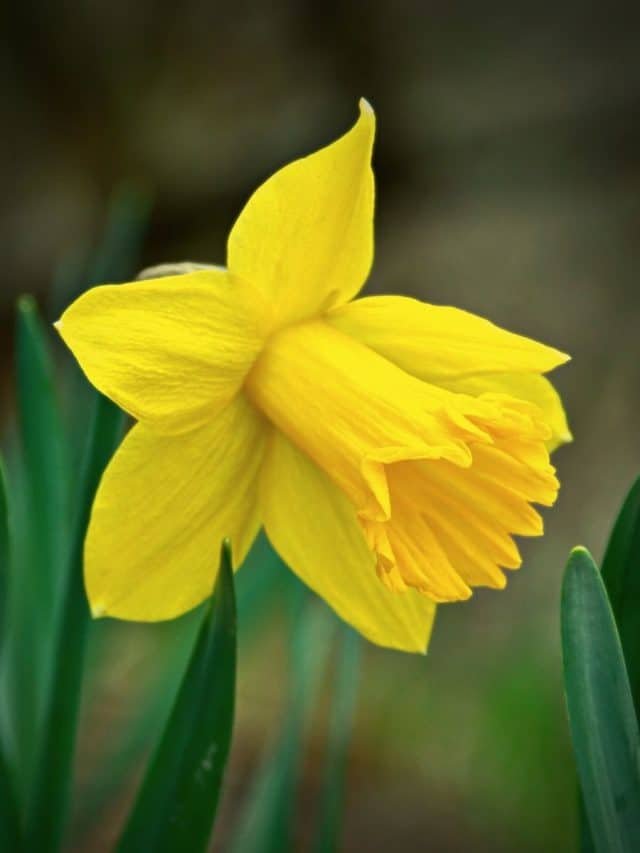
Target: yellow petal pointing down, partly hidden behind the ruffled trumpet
pixel 314 528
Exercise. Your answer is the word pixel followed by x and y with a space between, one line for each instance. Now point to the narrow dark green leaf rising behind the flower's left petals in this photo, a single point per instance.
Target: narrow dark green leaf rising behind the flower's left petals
pixel 49 804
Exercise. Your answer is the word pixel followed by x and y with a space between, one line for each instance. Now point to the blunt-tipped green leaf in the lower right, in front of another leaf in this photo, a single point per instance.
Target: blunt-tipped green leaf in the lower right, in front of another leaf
pixel 602 719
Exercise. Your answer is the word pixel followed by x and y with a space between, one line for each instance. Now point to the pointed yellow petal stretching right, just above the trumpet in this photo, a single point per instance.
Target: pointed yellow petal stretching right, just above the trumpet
pixel 437 343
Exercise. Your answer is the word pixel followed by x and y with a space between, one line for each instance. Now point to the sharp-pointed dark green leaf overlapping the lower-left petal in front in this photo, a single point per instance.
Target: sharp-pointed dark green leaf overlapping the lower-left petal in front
pixel 178 799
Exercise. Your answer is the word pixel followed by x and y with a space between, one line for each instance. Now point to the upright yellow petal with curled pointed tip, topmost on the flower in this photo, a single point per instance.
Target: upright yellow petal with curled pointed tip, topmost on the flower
pixel 305 237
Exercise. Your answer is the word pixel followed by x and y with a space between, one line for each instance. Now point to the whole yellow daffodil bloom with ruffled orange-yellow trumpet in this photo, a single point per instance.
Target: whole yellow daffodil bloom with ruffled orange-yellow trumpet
pixel 389 448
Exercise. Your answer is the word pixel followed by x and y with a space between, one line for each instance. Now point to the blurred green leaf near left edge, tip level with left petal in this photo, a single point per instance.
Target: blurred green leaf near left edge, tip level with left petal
pixel 41 541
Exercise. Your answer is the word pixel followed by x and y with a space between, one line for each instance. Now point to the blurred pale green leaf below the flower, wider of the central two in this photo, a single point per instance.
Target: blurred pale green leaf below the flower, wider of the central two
pixel 266 824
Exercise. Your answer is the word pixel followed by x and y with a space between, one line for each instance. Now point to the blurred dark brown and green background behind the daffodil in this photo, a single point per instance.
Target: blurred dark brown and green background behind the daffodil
pixel 508 174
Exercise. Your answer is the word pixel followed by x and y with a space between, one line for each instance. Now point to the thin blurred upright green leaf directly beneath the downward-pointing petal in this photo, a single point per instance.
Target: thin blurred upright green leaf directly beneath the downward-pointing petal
pixel 341 723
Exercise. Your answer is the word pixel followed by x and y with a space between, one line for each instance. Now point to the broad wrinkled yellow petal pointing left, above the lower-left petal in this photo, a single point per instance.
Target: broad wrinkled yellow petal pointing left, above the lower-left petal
pixel 170 351
